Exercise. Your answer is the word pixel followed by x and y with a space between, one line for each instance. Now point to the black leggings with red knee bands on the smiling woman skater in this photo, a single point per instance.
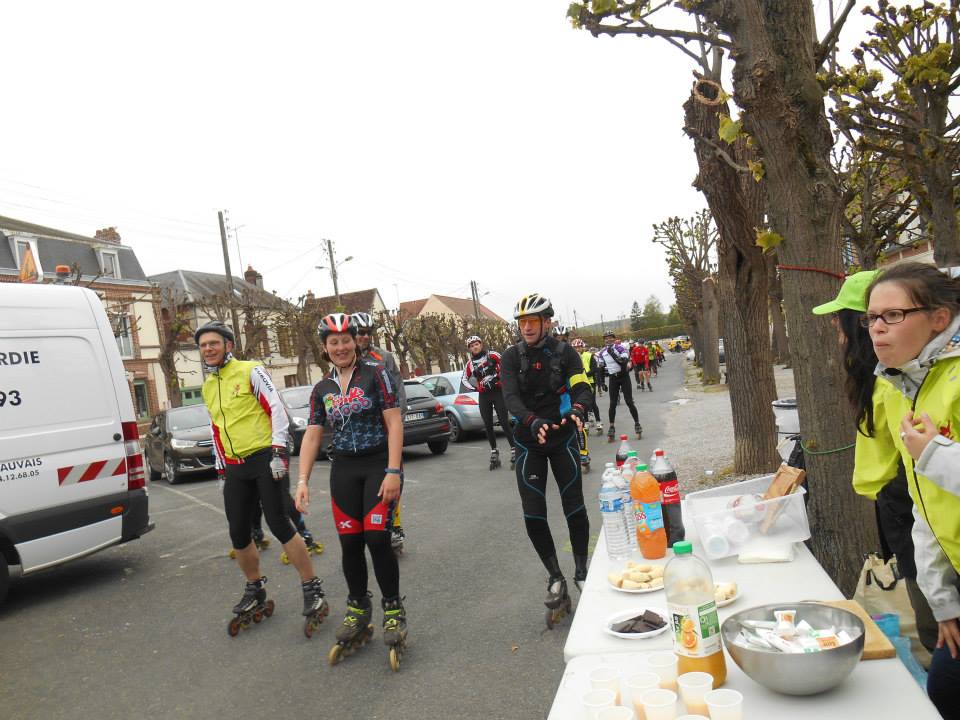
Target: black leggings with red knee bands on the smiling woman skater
pixel 362 519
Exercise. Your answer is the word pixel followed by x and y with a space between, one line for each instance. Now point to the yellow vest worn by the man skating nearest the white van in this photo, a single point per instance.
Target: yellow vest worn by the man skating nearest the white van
pixel 241 426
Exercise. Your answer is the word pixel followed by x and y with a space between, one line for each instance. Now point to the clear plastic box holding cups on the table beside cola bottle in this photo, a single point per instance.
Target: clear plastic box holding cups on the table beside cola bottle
pixel 726 528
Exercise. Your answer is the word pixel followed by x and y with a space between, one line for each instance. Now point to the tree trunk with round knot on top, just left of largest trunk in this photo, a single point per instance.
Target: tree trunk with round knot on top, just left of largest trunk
pixel 736 204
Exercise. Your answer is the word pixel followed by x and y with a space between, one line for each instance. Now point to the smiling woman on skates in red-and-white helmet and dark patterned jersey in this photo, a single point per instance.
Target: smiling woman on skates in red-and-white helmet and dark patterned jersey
pixel 360 401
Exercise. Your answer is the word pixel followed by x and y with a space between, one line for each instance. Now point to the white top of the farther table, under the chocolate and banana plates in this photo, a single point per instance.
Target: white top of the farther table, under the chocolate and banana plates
pixel 762 584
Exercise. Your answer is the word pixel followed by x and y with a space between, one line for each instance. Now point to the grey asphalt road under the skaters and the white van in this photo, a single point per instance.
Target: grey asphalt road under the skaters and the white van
pixel 140 630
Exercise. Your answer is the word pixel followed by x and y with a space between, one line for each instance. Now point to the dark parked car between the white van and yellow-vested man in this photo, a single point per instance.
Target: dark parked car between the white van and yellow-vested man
pixel 179 443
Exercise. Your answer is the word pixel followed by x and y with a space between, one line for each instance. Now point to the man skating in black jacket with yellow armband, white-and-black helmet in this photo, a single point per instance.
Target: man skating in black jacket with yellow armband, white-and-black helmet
pixel 547 392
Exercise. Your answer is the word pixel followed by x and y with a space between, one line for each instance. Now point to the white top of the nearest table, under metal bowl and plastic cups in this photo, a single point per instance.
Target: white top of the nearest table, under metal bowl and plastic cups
pixel 875 689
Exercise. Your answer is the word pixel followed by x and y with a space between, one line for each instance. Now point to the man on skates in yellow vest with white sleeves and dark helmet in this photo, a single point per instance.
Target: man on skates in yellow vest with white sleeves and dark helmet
pixel 249 427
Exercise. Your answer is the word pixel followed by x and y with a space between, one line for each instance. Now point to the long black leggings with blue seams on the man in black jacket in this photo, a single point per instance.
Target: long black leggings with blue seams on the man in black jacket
pixel 563 453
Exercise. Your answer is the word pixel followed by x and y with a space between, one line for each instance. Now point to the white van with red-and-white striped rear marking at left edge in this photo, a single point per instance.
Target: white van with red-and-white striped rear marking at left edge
pixel 71 470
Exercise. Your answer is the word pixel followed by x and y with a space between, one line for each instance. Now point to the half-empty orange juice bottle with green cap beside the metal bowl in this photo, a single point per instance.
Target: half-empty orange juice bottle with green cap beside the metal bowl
pixel 693 614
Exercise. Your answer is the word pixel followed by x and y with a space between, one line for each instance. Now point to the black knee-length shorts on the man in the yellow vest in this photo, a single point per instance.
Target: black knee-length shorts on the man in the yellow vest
pixel 248 486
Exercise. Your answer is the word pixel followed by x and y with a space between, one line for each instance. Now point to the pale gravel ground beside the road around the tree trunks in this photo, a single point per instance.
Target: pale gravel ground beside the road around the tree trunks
pixel 699 430
